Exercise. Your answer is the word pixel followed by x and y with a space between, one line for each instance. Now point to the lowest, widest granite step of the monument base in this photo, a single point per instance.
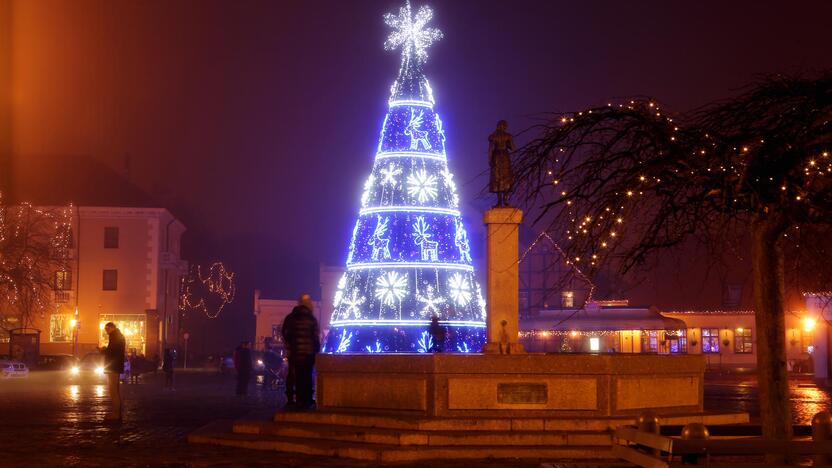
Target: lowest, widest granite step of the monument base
pixel 219 433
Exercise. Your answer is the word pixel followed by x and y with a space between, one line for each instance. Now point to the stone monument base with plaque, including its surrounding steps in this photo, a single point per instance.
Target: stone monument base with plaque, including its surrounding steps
pixel 398 408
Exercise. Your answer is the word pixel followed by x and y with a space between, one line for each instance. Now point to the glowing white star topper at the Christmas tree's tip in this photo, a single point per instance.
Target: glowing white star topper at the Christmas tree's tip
pixel 410 33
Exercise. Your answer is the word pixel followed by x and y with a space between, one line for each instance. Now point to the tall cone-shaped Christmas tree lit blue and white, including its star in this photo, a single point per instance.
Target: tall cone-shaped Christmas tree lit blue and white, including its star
pixel 409 258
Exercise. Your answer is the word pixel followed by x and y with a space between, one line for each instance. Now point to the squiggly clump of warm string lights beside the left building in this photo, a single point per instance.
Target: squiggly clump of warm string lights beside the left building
pixel 195 287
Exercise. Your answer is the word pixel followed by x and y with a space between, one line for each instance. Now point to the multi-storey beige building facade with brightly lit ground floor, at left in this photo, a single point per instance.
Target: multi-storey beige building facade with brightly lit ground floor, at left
pixel 125 268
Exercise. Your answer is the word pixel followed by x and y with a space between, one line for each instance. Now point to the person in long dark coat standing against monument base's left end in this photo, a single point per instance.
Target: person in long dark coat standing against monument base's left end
pixel 302 339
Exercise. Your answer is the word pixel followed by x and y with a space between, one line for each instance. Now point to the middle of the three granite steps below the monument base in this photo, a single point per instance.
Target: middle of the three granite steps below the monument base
pixel 411 437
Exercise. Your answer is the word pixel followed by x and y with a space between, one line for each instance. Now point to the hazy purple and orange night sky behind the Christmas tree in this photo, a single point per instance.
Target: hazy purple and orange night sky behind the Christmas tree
pixel 256 122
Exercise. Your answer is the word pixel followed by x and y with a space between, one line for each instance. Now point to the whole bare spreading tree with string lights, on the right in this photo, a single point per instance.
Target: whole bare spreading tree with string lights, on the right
pixel 620 183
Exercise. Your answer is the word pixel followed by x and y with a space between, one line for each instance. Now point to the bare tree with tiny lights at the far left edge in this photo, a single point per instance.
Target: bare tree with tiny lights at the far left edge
pixel 34 246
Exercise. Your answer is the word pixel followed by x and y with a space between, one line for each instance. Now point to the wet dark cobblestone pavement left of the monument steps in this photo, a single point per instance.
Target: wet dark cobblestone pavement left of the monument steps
pixel 47 420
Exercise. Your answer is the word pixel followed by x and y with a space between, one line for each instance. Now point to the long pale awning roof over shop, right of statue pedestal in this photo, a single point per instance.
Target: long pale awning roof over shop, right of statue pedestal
pixel 601 319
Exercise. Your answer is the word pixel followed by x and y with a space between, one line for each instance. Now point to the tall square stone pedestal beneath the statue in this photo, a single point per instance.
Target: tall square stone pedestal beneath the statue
pixel 503 281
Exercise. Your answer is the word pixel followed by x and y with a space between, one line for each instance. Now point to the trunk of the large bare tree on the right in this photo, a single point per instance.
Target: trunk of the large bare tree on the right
pixel 769 307
